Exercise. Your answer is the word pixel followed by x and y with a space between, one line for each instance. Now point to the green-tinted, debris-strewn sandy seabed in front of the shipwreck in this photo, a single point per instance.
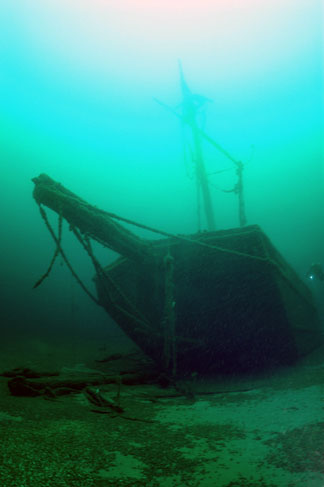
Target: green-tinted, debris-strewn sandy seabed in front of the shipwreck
pixel 265 431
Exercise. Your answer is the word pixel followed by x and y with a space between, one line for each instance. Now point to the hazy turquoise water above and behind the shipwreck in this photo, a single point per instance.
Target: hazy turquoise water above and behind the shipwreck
pixel 78 82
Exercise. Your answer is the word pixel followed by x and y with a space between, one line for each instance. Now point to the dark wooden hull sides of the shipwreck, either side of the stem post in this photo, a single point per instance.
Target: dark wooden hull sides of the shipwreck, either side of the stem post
pixel 244 309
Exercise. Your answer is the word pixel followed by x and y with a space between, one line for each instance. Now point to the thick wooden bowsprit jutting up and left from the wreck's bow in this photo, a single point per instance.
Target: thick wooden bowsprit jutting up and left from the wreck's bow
pixel 89 220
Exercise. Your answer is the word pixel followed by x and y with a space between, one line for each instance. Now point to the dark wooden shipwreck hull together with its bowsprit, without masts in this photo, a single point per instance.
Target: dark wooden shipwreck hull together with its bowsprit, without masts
pixel 217 301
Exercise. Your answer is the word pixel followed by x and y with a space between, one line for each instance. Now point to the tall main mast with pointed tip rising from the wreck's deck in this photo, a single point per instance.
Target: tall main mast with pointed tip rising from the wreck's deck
pixel 191 104
